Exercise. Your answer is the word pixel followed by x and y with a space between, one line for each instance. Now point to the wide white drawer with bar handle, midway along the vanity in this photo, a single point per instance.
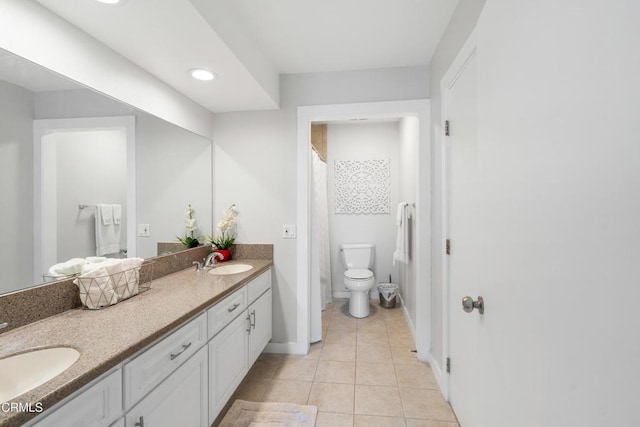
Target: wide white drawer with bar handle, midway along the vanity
pixel 149 369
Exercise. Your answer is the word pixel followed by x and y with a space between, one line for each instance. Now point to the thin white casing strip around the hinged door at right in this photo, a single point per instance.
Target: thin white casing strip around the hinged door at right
pixel 466 53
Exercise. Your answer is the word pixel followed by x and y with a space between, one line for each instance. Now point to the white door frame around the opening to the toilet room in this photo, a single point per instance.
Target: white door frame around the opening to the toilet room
pixel 392 109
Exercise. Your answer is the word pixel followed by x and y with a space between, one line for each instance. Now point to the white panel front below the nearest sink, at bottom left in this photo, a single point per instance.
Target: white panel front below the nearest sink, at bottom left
pixel 97 406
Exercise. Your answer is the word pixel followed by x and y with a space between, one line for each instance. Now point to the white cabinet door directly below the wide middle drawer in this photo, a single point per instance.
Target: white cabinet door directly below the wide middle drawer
pixel 180 400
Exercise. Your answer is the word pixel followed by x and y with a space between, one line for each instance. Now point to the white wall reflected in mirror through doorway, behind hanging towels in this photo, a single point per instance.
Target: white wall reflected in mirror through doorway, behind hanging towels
pixel 100 177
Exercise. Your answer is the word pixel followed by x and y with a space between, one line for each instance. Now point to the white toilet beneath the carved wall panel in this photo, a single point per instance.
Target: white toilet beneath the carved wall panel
pixel 358 259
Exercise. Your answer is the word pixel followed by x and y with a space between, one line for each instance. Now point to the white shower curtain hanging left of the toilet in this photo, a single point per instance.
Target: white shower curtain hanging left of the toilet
pixel 320 246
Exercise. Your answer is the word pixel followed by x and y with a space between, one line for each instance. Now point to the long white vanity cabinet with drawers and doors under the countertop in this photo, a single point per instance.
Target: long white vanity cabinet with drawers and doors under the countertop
pixel 184 379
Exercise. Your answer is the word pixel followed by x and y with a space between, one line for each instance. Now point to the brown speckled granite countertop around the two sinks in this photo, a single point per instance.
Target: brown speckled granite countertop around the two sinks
pixel 110 336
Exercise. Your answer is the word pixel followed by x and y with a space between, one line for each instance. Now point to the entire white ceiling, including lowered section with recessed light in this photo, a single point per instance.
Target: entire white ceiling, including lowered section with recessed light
pixel 249 43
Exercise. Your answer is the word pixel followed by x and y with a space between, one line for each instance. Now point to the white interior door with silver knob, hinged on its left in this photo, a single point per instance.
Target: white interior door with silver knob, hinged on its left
pixel 464 328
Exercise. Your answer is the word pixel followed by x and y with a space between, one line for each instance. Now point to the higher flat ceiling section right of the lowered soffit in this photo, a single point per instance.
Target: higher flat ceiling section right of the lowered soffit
pixel 302 36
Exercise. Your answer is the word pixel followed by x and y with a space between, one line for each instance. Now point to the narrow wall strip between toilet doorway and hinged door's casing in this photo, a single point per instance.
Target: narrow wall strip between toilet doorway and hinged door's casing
pixel 461 24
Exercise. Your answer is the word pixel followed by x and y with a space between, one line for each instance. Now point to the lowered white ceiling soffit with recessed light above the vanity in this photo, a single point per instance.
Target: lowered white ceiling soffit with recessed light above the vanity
pixel 167 38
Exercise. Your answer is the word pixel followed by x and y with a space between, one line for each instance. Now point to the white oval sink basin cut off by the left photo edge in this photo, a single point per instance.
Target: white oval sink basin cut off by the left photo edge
pixel 26 371
